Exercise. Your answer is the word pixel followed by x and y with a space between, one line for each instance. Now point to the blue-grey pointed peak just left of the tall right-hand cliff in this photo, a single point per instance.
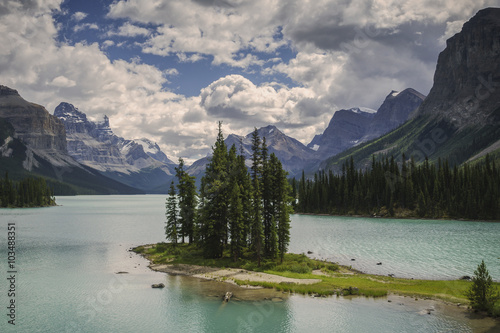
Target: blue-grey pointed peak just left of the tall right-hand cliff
pixel 394 111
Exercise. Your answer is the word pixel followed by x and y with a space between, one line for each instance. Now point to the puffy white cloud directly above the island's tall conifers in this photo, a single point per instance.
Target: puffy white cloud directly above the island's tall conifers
pixel 244 106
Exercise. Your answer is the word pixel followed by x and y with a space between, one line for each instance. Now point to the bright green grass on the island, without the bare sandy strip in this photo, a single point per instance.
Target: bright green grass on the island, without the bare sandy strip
pixel 335 279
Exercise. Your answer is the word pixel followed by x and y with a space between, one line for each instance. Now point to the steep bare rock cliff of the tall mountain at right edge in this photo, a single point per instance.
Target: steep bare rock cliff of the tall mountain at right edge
pixel 466 88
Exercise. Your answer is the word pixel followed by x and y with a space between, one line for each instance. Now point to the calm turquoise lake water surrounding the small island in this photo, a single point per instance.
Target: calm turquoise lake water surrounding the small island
pixel 67 258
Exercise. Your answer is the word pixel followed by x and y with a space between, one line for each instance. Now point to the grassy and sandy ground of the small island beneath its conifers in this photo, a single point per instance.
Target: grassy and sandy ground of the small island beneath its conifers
pixel 300 274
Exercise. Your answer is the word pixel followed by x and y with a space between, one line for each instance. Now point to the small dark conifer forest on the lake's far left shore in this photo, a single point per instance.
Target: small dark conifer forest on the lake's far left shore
pixel 28 192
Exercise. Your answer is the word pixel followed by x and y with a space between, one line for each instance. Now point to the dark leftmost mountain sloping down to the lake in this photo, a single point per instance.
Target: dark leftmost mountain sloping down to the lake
pixel 33 142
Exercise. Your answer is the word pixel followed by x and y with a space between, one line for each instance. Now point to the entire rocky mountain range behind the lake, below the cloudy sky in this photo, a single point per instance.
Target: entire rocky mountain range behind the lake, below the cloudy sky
pixel 459 120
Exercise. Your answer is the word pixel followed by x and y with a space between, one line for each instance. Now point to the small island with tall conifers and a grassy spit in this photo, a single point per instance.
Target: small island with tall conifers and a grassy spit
pixel 237 231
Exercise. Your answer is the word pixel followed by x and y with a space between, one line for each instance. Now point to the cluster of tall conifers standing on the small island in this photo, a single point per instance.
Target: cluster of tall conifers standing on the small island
pixel 237 212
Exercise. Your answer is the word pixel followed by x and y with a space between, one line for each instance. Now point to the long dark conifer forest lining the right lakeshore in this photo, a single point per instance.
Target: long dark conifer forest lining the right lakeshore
pixel 405 189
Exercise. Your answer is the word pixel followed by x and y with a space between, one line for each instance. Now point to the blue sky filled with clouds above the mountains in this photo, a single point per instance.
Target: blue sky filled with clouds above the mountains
pixel 169 70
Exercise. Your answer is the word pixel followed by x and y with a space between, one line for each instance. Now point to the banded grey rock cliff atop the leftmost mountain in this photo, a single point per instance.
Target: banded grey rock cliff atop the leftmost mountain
pixel 34 125
